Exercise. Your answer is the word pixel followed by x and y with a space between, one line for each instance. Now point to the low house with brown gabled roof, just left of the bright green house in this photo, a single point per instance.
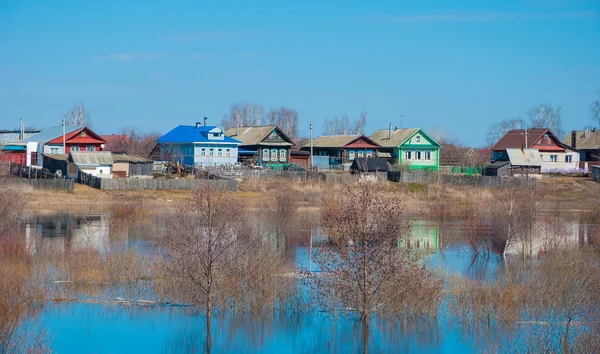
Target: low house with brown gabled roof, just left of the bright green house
pixel 341 149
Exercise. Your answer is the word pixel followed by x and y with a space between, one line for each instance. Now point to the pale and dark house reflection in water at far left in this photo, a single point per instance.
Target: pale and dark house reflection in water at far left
pixel 67 232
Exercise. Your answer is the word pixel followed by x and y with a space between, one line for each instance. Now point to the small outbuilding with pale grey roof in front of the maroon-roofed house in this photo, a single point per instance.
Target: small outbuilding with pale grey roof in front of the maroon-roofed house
pixel 516 162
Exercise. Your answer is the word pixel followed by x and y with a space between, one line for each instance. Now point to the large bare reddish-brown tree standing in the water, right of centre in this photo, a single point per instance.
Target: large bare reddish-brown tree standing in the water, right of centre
pixel 364 271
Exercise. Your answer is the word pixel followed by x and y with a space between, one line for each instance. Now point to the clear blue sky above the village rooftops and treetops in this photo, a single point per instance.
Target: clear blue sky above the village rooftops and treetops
pixel 450 66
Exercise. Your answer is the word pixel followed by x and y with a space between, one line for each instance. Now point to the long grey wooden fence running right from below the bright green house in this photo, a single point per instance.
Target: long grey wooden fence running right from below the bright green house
pixel 449 179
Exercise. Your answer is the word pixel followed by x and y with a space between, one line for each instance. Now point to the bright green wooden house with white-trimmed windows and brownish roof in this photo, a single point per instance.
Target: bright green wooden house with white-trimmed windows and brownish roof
pixel 410 147
